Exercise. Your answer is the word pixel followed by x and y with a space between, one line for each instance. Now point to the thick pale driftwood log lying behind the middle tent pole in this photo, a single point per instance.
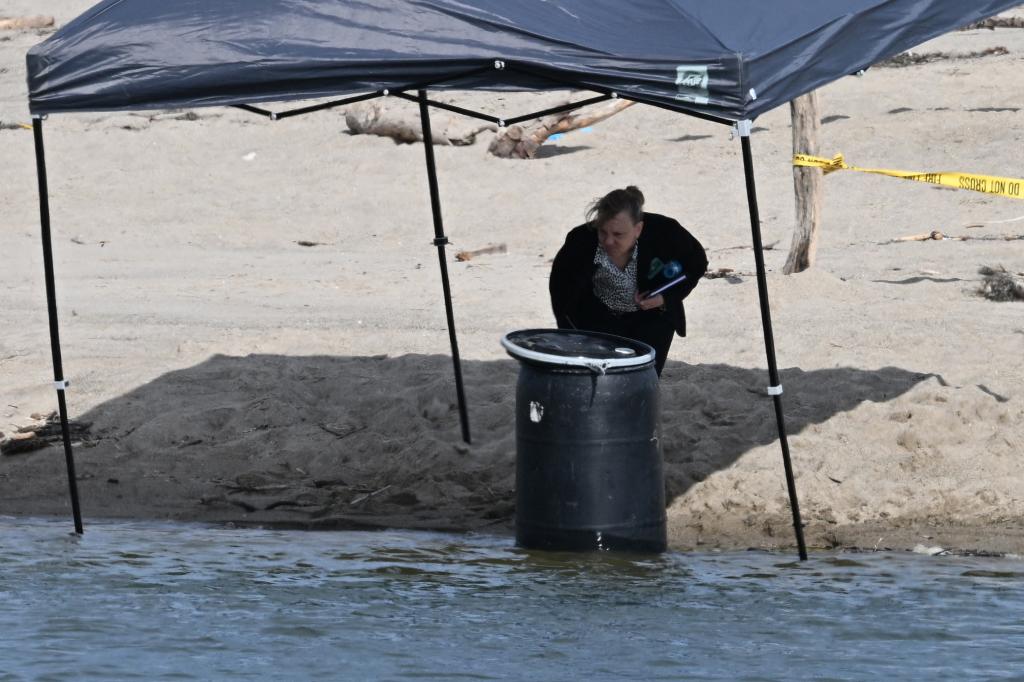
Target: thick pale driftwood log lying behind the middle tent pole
pixel 402 124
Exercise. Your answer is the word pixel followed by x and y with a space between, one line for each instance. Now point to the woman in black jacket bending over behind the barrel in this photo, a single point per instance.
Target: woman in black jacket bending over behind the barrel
pixel 605 274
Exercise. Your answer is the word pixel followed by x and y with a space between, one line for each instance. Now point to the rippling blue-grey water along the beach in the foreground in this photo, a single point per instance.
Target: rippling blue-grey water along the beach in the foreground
pixel 153 602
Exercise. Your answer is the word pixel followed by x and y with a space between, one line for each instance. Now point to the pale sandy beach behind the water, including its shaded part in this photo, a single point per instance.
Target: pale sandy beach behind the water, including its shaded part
pixel 222 371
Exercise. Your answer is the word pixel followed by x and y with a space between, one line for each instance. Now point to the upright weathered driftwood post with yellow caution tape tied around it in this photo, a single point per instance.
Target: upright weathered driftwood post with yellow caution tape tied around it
pixel 806 184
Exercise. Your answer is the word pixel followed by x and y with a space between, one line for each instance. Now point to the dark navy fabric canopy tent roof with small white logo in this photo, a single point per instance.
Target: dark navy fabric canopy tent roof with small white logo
pixel 731 60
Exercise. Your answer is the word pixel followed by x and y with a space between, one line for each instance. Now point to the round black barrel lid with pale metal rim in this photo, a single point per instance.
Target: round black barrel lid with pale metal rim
pixel 577 349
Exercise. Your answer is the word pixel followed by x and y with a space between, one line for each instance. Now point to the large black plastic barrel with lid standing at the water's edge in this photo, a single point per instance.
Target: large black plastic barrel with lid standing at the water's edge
pixel 589 473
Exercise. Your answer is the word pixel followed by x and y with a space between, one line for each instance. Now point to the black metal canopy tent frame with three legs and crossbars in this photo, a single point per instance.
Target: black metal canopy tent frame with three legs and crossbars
pixel 441 241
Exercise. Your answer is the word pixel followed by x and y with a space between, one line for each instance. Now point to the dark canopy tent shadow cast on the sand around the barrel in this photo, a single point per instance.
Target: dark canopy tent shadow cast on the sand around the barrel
pixel 340 443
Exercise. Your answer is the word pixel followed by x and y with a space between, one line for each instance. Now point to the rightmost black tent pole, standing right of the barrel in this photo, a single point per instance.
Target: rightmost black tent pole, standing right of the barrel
pixel 776 390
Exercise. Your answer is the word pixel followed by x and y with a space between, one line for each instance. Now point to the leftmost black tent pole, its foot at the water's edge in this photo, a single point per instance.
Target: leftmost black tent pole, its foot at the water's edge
pixel 52 304
